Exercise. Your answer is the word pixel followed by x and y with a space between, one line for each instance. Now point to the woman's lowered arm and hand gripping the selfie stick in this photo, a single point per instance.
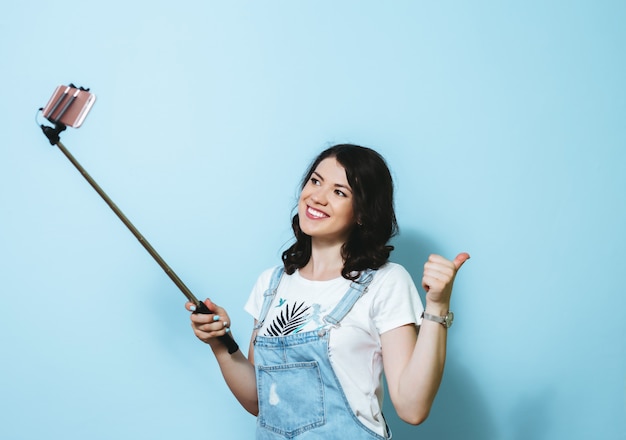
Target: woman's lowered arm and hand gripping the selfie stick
pixel 238 371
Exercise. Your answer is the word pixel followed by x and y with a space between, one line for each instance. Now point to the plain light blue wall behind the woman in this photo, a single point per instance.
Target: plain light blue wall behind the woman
pixel 503 123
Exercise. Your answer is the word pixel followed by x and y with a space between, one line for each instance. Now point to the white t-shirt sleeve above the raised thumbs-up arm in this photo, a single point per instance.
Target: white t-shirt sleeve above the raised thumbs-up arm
pixel 397 300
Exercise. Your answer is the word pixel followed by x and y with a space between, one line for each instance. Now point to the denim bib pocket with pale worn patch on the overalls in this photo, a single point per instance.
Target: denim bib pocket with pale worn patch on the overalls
pixel 291 398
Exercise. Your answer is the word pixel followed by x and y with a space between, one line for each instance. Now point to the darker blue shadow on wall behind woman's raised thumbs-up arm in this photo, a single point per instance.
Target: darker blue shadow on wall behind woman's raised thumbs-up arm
pixel 459 411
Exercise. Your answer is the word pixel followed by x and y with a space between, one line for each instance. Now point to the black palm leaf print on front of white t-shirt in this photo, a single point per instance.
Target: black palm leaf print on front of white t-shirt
pixel 293 318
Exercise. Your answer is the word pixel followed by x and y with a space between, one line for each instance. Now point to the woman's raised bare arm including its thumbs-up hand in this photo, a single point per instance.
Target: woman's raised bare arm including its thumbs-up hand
pixel 414 362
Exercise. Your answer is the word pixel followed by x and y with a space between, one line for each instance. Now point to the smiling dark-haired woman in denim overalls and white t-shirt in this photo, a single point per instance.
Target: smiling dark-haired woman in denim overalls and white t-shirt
pixel 337 313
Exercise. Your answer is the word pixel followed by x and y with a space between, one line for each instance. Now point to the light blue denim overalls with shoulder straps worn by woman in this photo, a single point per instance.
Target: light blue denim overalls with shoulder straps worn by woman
pixel 299 394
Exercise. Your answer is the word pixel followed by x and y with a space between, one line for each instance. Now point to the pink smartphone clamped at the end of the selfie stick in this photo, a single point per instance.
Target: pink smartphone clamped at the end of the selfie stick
pixel 69 105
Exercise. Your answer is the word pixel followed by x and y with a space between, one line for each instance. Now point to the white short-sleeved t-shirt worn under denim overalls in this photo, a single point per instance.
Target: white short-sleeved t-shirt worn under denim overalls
pixel 355 351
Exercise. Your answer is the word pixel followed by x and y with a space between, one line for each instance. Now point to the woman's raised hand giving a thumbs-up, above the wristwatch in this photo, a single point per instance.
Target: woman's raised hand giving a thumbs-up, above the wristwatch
pixel 439 274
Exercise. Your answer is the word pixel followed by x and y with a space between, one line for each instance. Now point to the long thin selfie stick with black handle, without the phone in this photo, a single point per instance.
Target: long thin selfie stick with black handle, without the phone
pixel 53 136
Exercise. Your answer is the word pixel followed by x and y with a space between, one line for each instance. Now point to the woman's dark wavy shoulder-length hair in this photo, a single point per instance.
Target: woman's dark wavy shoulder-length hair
pixel 372 188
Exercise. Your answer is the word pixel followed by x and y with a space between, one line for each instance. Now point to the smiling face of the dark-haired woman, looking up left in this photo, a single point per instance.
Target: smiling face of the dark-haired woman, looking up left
pixel 325 206
